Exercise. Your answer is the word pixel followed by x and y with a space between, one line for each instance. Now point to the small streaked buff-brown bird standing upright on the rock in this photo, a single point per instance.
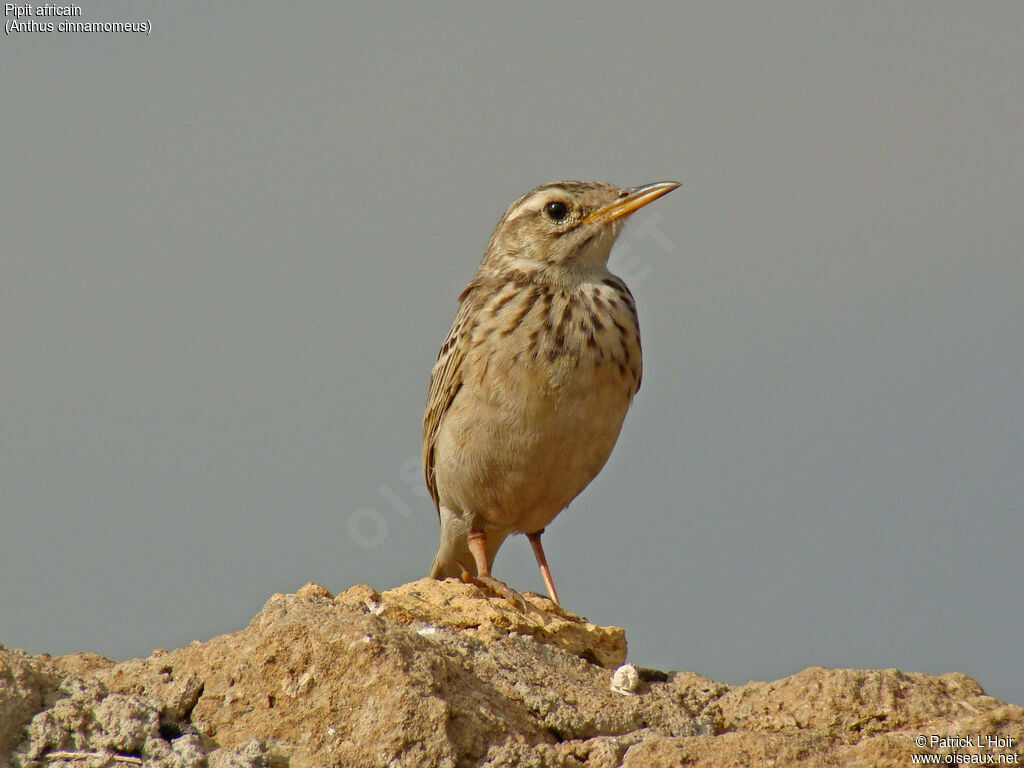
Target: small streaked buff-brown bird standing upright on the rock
pixel 530 389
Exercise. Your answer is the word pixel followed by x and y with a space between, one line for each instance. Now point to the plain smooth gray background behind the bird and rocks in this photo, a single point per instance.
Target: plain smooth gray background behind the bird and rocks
pixel 232 249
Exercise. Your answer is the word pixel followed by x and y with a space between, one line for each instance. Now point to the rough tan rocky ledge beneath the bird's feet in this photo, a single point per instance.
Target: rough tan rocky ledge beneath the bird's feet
pixel 436 674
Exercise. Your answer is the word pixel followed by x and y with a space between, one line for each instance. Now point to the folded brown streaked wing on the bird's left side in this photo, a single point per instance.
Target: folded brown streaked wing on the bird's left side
pixel 446 381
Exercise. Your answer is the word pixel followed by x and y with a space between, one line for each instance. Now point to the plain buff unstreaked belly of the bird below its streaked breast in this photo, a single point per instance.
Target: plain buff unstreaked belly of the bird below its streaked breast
pixel 523 440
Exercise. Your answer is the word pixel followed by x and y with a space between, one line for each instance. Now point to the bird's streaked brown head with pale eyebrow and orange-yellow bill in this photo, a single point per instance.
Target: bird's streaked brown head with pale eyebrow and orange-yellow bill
pixel 566 226
